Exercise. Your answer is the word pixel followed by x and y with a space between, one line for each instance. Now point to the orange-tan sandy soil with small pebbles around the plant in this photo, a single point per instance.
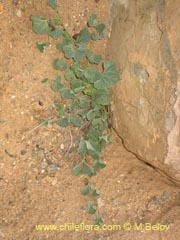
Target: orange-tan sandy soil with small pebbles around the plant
pixel 36 183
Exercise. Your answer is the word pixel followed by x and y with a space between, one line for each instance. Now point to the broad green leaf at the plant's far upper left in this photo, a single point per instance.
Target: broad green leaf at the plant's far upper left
pixel 40 25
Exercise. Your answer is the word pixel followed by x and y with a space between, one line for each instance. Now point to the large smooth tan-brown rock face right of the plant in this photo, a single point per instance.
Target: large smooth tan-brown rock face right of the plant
pixel 145 43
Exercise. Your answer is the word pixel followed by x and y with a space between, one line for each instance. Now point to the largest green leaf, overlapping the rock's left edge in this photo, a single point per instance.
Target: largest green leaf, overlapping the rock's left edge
pixel 109 77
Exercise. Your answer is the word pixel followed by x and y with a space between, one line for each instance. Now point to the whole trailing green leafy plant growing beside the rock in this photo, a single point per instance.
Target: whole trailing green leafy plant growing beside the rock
pixel 85 90
